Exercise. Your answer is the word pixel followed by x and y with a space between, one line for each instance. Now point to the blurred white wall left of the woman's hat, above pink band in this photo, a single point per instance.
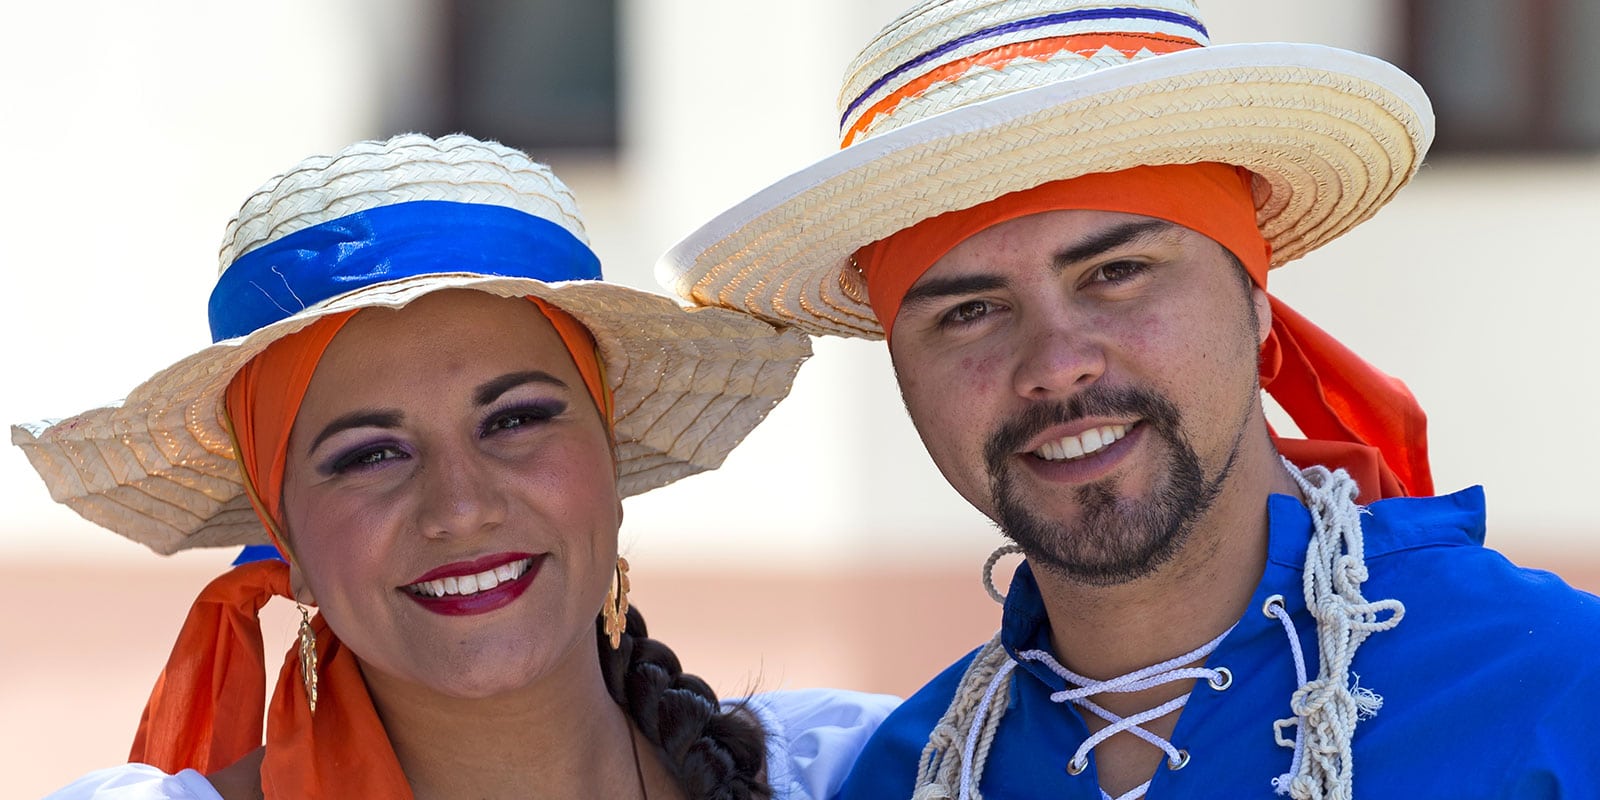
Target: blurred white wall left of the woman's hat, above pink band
pixel 134 132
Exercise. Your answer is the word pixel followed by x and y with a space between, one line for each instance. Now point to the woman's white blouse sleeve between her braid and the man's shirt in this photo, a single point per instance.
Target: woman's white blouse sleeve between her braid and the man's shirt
pixel 814 737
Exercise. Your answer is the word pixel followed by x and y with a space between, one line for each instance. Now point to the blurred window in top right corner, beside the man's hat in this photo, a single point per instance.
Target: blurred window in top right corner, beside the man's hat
pixel 1510 76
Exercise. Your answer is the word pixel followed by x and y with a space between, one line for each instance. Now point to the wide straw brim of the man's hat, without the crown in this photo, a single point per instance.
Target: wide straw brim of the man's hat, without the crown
pixel 1329 134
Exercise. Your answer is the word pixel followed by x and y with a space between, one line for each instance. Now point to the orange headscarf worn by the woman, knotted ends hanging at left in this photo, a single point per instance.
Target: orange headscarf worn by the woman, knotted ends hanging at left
pixel 206 711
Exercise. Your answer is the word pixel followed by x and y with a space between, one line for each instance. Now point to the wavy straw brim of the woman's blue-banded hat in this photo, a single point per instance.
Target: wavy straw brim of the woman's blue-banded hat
pixel 161 470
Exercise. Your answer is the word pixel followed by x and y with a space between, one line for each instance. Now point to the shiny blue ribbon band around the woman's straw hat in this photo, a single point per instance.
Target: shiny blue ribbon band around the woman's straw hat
pixel 422 238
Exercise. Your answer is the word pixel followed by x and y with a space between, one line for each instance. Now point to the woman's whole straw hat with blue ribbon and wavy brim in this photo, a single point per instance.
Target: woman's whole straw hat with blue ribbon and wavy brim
pixel 380 225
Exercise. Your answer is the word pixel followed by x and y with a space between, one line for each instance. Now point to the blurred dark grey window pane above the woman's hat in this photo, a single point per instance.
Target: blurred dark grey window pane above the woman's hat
pixel 534 74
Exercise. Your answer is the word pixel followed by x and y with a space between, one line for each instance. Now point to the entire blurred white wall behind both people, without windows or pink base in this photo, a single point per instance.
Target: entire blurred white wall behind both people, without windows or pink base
pixel 137 130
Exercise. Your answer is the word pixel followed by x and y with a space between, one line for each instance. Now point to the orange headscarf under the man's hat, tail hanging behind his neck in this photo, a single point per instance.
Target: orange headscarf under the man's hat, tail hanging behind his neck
pixel 1356 417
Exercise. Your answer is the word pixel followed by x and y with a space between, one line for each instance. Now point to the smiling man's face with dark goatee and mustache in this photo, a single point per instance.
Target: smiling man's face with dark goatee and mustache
pixel 1084 378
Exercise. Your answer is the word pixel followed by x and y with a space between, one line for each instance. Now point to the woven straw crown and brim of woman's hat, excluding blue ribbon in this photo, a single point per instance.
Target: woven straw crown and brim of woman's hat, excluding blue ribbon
pixel 161 470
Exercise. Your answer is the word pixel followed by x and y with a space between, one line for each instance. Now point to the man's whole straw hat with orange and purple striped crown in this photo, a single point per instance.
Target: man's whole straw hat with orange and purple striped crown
pixel 961 102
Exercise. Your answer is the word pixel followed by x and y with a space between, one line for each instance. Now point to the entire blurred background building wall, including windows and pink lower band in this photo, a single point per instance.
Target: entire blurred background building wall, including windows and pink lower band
pixel 828 551
